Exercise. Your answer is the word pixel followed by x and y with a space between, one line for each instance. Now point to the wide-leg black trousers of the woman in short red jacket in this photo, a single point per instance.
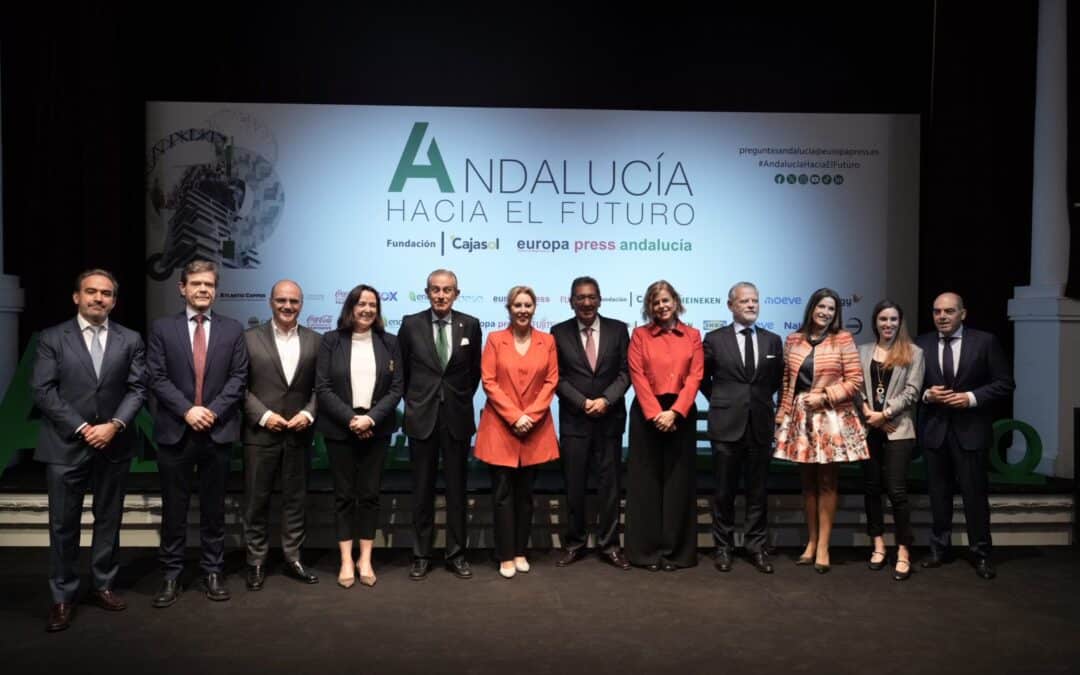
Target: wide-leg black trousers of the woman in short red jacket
pixel 661 512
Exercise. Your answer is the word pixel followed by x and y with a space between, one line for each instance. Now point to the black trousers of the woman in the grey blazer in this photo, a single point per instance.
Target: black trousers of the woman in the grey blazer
pixel 888 464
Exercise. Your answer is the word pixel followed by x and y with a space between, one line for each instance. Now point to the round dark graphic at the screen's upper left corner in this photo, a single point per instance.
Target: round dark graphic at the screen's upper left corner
pixel 213 194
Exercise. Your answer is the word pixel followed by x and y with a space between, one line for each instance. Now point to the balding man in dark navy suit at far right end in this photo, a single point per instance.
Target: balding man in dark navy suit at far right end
pixel 967 373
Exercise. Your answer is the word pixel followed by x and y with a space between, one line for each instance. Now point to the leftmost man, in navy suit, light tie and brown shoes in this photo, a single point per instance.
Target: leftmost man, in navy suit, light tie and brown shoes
pixel 88 383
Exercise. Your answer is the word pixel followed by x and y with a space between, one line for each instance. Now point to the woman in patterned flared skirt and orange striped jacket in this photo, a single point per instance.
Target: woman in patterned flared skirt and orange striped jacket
pixel 817 424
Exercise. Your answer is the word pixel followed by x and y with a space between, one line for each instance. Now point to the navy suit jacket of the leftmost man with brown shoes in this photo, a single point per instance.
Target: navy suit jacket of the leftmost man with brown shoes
pixel 69 394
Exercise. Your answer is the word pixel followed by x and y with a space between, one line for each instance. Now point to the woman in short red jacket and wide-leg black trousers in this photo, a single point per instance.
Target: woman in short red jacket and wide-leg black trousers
pixel 667 363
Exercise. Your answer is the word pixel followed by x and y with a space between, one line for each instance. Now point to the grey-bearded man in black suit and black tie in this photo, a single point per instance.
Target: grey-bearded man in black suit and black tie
pixel 745 367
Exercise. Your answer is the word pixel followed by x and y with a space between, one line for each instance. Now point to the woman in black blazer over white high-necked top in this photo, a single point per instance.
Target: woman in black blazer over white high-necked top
pixel 359 384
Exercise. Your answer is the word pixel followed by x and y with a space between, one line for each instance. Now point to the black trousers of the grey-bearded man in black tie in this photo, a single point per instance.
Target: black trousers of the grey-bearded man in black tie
pixel 750 461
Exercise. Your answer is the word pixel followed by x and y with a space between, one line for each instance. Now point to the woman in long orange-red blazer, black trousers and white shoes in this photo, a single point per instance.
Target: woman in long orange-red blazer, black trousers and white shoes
pixel 520 372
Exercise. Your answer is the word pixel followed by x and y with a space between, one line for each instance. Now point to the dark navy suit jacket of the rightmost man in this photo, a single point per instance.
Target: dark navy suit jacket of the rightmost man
pixel 984 371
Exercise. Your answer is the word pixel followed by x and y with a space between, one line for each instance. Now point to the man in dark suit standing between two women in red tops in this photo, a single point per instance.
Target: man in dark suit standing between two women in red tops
pixel 593 379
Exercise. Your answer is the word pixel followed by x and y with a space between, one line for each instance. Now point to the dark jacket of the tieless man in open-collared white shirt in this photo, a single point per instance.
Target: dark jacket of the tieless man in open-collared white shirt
pixel 267 389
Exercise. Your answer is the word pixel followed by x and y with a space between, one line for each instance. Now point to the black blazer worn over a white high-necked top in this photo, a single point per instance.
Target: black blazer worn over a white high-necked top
pixel 334 385
